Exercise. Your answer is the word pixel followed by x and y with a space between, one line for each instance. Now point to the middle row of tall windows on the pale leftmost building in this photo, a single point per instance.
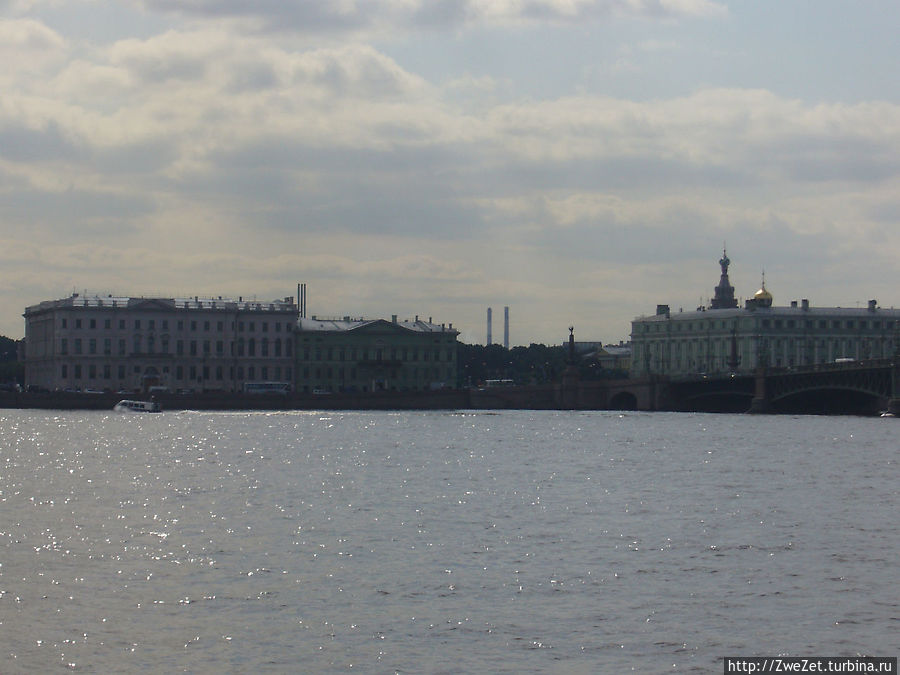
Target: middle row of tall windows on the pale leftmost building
pixel 235 348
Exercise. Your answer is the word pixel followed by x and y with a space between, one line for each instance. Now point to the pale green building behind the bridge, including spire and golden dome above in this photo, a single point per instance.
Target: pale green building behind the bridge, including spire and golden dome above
pixel 724 338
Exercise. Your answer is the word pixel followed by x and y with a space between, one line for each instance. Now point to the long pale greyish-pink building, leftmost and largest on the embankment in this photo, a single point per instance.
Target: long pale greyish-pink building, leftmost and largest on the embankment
pixel 133 344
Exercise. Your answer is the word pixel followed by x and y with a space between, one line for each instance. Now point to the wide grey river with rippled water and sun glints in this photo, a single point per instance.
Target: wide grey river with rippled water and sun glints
pixel 441 542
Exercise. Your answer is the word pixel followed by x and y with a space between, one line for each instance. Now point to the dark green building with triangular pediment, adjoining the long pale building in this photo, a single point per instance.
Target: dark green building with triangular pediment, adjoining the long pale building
pixel 374 355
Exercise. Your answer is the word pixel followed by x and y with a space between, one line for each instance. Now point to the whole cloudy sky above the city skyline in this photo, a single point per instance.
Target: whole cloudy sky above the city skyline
pixel 579 161
